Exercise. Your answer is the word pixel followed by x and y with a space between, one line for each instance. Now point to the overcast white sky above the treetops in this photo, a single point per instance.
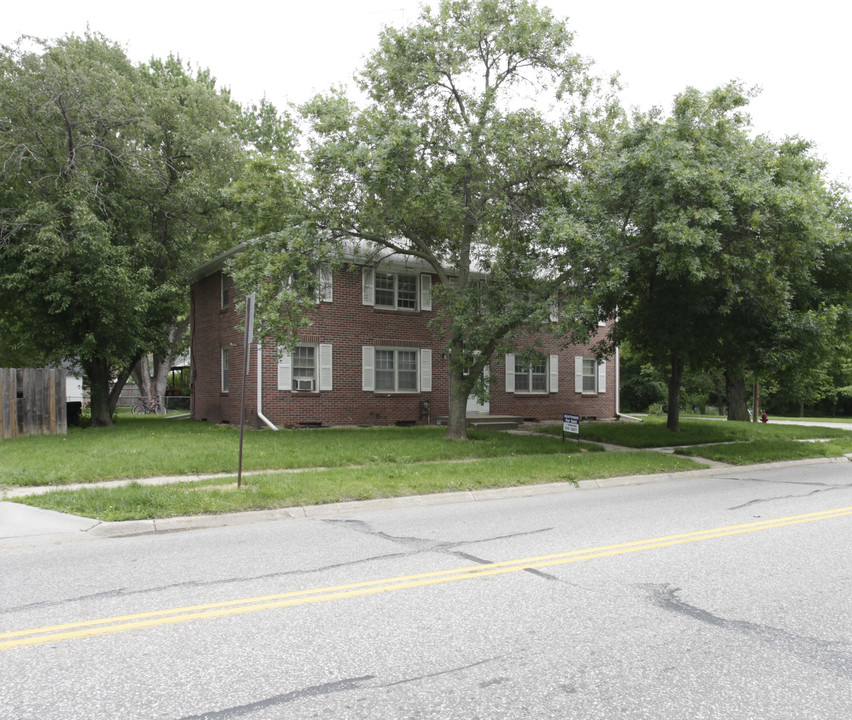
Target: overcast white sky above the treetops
pixel 797 52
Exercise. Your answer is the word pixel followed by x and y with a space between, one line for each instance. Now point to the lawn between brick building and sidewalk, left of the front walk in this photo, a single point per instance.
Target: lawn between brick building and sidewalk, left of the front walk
pixel 138 447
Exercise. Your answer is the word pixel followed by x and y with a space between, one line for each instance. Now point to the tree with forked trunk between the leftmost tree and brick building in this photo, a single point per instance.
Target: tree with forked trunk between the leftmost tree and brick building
pixel 193 152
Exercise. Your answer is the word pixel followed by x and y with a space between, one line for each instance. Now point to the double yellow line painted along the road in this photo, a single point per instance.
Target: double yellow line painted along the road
pixel 123 623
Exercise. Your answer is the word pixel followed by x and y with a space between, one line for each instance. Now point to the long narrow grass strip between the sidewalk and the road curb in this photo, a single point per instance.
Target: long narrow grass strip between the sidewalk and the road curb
pixel 313 487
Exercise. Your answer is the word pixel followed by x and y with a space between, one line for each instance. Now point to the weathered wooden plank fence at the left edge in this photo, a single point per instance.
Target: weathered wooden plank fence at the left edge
pixel 32 402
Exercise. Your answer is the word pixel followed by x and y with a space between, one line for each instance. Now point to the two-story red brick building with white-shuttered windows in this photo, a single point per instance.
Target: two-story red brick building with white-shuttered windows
pixel 369 358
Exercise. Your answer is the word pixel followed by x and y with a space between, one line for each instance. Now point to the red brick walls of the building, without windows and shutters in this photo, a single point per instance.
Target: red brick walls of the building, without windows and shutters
pixel 348 325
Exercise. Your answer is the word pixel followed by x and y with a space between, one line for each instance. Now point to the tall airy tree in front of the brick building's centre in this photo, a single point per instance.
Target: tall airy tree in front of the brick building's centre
pixel 464 155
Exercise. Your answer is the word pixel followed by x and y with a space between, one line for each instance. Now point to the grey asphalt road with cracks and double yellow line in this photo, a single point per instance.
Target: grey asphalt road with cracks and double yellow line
pixel 707 597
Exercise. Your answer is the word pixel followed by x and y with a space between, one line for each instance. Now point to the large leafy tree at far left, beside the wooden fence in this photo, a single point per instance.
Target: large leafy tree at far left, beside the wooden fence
pixel 110 178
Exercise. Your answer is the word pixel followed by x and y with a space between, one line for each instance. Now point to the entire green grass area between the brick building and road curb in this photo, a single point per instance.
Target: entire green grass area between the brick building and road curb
pixel 330 465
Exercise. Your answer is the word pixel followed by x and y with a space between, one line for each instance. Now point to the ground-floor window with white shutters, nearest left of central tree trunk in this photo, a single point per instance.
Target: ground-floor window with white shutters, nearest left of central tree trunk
pixel 397 369
